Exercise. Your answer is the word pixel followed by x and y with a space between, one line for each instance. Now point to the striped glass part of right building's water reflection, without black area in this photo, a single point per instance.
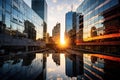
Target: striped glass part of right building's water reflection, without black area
pixel 93 68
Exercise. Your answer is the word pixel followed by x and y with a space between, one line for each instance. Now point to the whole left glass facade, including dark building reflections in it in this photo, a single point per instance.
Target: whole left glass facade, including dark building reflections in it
pixel 19 20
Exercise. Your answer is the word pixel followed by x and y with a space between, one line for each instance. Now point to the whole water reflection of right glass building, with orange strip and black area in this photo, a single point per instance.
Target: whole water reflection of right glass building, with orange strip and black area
pixel 101 67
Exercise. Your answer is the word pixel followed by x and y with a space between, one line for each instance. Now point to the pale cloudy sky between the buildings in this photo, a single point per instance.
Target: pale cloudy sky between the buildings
pixel 56 12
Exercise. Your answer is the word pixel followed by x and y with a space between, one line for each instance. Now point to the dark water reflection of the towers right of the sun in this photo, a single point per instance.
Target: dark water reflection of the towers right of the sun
pixel 74 65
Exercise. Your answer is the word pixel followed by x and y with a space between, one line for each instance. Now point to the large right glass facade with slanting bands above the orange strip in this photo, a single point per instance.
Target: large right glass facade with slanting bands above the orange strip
pixel 101 17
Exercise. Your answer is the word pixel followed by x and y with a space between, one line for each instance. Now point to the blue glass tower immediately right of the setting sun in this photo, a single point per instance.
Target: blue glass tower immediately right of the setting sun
pixel 70 25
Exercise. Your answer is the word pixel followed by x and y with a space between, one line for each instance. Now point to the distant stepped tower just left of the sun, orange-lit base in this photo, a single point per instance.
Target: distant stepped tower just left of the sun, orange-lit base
pixel 56 33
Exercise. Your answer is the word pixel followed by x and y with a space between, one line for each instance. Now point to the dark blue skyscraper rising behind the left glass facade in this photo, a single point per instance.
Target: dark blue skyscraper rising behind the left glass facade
pixel 40 7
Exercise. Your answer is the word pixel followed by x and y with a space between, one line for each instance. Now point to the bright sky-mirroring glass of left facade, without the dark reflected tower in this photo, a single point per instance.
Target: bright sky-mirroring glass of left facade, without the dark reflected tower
pixel 16 12
